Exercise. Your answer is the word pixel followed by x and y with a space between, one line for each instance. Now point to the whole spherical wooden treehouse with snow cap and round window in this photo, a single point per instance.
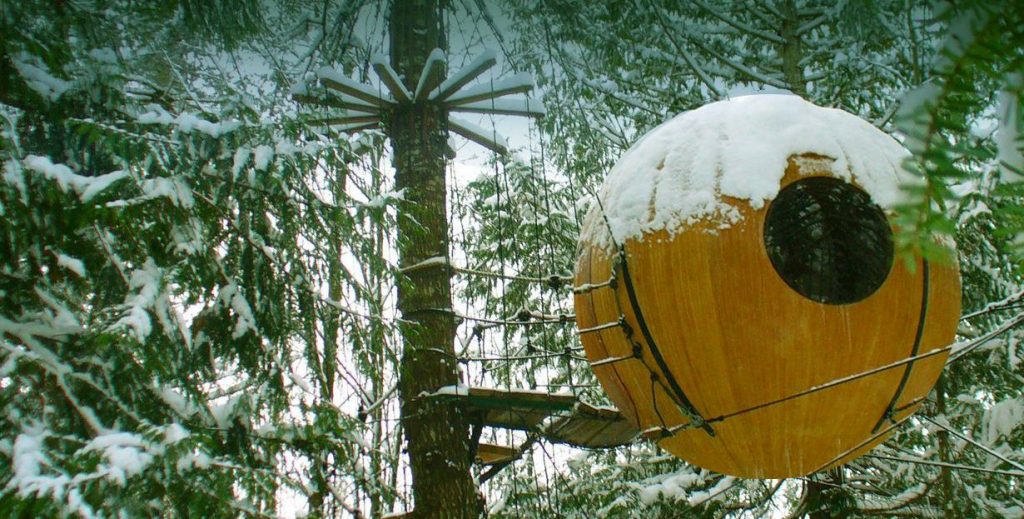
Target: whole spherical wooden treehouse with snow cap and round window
pixel 738 294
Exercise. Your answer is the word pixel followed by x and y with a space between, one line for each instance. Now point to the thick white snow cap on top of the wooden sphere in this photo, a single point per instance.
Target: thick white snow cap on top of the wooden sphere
pixel 679 174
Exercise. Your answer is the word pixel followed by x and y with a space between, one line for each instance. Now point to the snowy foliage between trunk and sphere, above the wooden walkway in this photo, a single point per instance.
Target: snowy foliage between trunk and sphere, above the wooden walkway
pixel 519 224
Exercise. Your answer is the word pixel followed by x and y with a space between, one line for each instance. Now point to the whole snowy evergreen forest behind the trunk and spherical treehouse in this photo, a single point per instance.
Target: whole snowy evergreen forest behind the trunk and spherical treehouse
pixel 199 277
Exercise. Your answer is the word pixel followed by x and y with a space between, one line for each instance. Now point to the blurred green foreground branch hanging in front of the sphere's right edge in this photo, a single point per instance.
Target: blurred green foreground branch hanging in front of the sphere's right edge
pixel 938 119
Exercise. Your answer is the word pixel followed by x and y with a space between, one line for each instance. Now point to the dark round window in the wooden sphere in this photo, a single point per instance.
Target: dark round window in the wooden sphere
pixel 829 241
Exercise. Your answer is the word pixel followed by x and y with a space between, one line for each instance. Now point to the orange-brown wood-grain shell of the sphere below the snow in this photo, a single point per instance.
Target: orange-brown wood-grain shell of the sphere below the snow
pixel 735 336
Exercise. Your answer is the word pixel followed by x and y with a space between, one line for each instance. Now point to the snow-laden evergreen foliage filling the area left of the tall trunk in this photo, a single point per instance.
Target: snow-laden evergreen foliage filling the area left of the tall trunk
pixel 164 241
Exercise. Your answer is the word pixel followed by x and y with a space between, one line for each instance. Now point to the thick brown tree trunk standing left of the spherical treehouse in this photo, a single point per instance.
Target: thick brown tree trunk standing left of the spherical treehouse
pixel 438 435
